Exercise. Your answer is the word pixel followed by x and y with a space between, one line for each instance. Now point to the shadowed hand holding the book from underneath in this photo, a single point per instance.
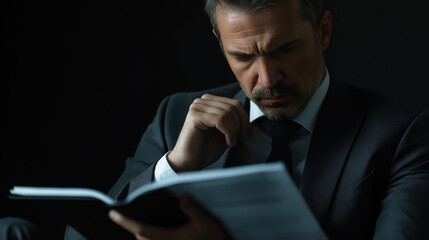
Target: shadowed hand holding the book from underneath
pixel 199 227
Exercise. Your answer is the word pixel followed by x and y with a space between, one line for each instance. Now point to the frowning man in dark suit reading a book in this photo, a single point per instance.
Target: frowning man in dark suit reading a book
pixel 361 162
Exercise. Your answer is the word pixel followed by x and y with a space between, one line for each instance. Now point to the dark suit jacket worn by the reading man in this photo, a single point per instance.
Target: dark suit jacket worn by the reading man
pixel 367 169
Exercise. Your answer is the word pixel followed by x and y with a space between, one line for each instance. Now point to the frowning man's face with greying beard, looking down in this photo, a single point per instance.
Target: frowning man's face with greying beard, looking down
pixel 276 55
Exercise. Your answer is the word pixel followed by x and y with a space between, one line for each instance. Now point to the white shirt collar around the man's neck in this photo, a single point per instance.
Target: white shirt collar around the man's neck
pixel 307 118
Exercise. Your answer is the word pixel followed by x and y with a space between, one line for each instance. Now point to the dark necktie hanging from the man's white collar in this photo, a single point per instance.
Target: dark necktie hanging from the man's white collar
pixel 280 133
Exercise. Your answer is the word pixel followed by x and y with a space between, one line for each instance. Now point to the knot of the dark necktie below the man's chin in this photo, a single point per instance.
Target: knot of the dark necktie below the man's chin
pixel 279 130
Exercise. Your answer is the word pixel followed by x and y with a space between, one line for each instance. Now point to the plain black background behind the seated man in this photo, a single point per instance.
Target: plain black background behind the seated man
pixel 80 80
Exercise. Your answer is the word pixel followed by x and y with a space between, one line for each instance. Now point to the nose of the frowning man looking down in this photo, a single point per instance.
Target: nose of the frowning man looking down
pixel 268 73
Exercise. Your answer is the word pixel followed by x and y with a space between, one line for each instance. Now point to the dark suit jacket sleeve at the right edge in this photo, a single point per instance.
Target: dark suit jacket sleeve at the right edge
pixel 404 210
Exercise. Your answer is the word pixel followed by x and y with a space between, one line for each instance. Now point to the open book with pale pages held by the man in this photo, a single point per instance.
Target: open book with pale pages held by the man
pixel 257 201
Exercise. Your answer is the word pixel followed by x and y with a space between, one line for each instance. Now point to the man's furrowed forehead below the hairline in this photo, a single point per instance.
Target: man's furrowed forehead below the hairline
pixel 282 20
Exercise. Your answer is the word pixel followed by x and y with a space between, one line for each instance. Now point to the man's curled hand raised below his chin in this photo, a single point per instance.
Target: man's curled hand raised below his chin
pixel 213 123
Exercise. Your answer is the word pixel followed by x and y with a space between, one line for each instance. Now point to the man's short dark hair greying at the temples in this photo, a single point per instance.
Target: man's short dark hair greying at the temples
pixel 311 9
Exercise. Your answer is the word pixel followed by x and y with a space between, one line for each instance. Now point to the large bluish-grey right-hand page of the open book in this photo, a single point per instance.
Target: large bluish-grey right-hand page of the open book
pixel 257 201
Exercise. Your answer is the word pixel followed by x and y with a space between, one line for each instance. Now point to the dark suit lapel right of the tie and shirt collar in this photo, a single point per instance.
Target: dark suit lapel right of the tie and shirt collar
pixel 336 128
